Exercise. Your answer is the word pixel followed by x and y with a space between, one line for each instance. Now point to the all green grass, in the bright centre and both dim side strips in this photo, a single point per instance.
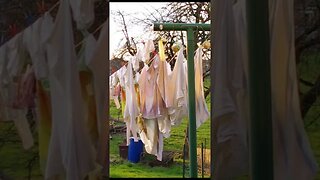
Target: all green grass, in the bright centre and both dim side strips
pixel 14 160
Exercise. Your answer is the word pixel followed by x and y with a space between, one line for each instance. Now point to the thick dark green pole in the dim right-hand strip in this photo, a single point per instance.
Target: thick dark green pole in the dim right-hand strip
pixel 261 142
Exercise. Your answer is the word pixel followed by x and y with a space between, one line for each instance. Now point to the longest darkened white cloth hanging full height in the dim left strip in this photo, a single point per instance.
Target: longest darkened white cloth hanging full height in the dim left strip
pixel 70 151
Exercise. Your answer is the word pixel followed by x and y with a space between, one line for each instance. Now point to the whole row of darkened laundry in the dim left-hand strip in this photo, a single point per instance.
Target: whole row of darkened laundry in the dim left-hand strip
pixel 71 154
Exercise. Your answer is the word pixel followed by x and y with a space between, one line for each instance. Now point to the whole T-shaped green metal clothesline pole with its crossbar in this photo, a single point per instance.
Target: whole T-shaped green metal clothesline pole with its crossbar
pixel 190 28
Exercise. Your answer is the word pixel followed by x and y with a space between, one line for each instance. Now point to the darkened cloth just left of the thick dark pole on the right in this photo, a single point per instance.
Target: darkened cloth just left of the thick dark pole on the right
pixel 230 98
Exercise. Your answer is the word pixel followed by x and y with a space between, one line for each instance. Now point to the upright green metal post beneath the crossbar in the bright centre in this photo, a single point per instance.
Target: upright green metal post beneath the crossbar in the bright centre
pixel 192 107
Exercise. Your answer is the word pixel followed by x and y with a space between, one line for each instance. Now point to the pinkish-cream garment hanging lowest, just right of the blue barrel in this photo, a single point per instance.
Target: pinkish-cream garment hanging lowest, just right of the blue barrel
pixel 152 108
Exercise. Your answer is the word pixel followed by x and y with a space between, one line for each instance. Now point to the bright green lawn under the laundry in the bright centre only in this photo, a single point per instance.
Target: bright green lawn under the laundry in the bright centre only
pixel 123 168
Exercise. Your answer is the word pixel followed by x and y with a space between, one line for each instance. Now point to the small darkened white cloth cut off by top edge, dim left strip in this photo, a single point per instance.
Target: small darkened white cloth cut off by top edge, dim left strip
pixel 83 13
